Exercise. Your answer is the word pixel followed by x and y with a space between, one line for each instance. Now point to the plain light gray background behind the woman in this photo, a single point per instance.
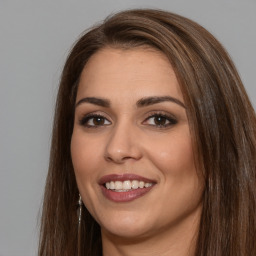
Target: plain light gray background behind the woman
pixel 35 39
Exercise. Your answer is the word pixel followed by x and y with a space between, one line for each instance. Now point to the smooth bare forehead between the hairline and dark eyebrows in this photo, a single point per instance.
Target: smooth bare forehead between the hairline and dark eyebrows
pixel 140 71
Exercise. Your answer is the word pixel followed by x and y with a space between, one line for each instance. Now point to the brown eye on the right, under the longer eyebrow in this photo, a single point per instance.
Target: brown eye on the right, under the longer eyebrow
pixel 160 120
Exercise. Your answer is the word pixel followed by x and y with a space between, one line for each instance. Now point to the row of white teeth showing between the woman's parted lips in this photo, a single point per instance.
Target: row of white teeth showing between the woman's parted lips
pixel 126 185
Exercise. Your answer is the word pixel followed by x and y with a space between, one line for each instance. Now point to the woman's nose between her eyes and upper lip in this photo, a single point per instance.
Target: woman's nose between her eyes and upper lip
pixel 123 144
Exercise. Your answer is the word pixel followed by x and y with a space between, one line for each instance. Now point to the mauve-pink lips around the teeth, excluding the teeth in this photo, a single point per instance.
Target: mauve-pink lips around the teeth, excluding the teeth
pixel 124 196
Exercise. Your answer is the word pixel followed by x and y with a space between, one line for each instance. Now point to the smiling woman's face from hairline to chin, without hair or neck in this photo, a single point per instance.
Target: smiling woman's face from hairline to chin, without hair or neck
pixel 131 145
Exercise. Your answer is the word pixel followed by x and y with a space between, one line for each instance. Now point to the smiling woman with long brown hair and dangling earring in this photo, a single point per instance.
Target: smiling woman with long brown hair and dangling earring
pixel 154 129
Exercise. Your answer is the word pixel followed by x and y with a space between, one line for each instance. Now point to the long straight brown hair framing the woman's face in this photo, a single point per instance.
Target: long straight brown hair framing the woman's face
pixel 222 123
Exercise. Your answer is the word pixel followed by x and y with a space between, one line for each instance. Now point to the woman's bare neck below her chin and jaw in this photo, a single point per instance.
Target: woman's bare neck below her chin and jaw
pixel 178 240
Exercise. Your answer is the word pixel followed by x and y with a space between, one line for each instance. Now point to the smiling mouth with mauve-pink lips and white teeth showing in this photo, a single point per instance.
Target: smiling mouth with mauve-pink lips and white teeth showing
pixel 126 187
